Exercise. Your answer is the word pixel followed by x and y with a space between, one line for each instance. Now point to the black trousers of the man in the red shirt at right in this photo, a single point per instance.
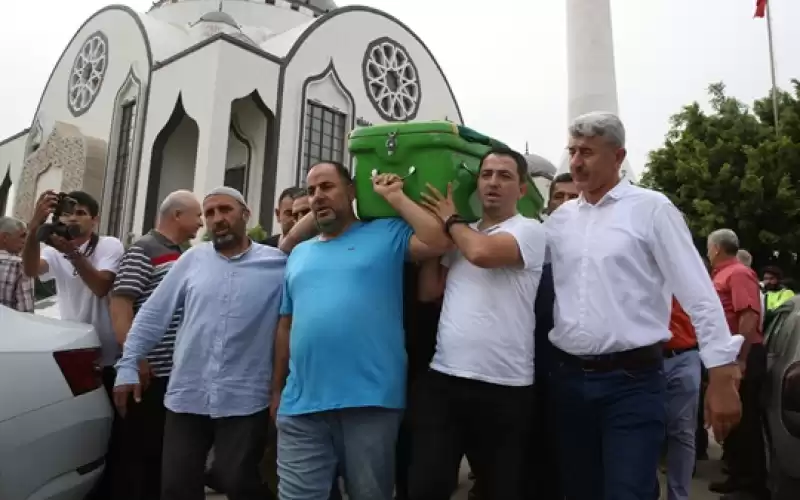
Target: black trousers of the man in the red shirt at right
pixel 744 446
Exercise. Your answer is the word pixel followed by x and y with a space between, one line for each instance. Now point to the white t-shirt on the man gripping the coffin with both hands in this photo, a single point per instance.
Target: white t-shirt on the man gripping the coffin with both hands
pixel 487 321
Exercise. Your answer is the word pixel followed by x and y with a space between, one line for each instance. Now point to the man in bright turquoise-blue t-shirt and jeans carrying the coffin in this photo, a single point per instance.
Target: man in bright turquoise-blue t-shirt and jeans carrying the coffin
pixel 340 360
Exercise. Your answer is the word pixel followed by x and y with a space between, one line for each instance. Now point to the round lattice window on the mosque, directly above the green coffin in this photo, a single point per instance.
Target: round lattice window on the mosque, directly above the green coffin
pixel 392 80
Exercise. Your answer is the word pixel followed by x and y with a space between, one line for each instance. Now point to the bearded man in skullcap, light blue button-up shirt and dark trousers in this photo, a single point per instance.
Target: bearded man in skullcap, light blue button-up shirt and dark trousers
pixel 219 391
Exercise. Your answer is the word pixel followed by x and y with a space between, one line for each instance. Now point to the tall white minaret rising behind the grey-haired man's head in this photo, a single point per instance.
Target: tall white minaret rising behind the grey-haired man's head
pixel 591 72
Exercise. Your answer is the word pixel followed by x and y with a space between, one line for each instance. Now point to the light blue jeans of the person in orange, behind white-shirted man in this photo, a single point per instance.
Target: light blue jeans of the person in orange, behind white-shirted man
pixel 683 395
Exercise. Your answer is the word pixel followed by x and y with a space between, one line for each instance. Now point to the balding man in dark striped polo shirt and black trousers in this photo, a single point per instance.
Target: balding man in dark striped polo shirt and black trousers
pixel 143 266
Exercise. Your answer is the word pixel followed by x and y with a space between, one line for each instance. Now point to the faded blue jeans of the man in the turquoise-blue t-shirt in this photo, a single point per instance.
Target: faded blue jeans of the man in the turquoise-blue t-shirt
pixel 358 443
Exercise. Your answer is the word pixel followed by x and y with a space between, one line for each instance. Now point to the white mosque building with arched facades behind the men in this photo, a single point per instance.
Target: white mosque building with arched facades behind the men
pixel 194 94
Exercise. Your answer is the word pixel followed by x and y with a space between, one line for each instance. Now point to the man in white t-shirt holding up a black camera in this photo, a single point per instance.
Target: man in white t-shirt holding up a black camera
pixel 83 268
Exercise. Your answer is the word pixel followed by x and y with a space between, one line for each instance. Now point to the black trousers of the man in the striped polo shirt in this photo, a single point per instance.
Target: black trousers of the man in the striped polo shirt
pixel 142 444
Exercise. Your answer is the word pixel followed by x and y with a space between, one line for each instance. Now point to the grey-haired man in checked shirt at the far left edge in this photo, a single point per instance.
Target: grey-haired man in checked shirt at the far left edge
pixel 16 289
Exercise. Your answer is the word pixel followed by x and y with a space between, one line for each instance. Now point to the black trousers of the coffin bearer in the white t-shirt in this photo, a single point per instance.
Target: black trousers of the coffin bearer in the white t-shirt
pixel 451 417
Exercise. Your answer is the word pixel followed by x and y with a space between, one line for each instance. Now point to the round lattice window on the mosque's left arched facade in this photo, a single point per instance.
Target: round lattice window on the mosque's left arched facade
pixel 87 73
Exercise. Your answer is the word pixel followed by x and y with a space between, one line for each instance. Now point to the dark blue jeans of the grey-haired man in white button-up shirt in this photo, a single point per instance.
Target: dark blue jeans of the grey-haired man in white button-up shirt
pixel 610 430
